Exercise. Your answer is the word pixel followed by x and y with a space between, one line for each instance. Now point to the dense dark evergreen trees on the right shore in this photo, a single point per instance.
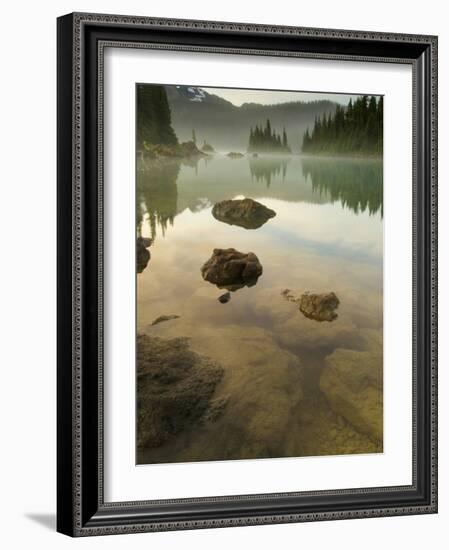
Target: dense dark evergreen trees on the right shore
pixel 355 129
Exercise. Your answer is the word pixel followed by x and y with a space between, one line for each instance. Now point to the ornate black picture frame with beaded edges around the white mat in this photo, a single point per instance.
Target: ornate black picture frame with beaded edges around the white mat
pixel 81 509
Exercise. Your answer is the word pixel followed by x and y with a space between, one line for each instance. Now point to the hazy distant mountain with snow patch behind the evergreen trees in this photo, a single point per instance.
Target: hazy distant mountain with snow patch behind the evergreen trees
pixel 227 127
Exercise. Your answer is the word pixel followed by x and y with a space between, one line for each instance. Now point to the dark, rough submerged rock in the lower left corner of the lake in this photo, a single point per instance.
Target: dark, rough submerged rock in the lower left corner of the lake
pixel 175 387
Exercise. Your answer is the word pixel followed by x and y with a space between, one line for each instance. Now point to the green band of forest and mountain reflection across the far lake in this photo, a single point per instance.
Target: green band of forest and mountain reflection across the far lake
pixel 165 189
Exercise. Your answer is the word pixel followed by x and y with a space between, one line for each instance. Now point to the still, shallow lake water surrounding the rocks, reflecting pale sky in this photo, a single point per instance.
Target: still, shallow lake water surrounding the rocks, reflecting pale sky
pixel 327 235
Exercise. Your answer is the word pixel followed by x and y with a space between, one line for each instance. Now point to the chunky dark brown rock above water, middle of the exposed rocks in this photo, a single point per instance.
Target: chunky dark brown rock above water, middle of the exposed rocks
pixel 230 269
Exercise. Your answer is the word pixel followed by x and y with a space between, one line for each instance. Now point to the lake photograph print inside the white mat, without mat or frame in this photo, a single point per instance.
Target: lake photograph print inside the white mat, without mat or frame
pixel 259 267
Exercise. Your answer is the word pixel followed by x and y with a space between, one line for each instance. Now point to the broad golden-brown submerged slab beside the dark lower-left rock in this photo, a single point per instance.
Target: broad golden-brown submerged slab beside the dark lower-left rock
pixel 250 413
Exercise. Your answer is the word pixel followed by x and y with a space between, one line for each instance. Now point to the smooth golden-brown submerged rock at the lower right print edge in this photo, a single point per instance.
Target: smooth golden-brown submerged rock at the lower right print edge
pixel 352 384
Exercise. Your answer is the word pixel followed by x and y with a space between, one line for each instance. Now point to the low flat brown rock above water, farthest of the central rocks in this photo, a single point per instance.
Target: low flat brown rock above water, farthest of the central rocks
pixel 246 213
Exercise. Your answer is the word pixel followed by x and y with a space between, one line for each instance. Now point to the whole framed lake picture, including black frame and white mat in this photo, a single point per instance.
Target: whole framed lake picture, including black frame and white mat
pixel 247 280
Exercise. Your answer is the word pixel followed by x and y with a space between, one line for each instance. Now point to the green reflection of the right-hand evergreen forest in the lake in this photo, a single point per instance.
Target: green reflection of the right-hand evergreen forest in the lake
pixel 357 185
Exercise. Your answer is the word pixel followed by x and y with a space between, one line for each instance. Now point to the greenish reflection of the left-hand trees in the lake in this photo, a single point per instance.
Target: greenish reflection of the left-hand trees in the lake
pixel 157 194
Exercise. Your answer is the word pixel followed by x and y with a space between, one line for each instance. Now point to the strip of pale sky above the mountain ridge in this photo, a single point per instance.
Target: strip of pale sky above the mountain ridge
pixel 268 97
